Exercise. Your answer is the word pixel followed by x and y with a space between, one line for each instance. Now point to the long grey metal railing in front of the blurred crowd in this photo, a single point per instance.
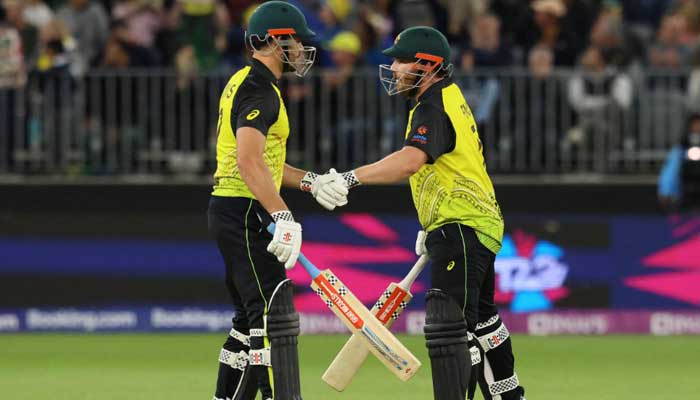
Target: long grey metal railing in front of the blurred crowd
pixel 163 123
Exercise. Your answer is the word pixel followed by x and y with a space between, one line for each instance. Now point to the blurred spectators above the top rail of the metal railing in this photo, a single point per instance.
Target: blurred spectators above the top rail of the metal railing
pixel 208 34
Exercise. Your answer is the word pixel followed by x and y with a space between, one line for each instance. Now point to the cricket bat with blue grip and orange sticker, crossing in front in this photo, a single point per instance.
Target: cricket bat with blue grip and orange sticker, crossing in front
pixel 375 336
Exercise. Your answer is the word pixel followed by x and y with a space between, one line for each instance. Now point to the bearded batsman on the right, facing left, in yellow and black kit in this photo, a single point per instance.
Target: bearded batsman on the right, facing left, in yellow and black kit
pixel 461 220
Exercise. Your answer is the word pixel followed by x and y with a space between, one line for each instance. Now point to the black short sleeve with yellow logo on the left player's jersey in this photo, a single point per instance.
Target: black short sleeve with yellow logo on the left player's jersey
pixel 255 107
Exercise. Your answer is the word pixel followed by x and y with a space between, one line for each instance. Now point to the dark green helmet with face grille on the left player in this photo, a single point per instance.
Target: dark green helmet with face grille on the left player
pixel 280 24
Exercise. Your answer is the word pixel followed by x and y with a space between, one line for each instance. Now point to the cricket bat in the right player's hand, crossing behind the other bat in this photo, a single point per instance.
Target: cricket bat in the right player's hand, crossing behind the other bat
pixel 387 310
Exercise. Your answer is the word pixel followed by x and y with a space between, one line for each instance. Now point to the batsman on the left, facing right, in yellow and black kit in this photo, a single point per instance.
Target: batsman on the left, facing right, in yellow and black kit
pixel 260 353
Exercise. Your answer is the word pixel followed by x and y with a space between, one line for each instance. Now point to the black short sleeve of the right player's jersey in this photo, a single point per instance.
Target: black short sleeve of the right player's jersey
pixel 431 131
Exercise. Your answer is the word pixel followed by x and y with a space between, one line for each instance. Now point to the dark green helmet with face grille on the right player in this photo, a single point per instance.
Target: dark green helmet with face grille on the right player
pixel 429 51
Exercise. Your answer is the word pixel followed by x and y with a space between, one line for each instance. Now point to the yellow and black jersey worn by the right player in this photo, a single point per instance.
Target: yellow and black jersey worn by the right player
pixel 453 187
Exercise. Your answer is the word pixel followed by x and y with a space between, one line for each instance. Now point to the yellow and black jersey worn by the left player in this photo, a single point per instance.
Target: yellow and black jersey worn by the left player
pixel 251 98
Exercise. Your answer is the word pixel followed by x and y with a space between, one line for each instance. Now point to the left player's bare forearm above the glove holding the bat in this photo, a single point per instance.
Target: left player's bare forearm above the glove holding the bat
pixel 258 178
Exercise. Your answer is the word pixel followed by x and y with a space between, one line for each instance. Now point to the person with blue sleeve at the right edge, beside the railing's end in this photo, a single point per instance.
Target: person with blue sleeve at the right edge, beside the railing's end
pixel 670 189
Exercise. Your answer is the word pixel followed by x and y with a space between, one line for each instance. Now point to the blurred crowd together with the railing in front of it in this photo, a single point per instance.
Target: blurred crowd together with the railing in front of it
pixel 555 85
